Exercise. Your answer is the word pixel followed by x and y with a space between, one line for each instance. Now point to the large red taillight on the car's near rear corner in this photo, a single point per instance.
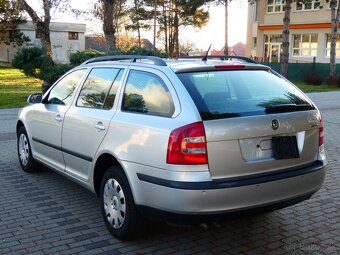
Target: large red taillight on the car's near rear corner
pixel 187 145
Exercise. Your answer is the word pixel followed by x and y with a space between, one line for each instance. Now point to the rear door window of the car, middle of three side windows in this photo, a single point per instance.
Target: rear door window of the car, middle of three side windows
pixel 96 88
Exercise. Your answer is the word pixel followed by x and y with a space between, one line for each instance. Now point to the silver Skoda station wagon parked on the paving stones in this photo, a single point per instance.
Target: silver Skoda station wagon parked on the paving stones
pixel 187 137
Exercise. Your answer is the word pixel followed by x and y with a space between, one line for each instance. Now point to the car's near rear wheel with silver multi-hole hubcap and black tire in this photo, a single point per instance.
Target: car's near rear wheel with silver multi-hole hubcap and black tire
pixel 118 207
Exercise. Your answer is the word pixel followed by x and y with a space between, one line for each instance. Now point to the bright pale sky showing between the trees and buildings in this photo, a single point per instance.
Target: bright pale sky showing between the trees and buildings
pixel 213 32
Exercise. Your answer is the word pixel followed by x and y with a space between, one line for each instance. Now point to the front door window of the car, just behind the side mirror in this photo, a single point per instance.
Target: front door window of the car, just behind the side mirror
pixel 62 92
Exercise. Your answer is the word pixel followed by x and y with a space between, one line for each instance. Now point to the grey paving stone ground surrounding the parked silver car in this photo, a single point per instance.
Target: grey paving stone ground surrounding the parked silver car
pixel 45 213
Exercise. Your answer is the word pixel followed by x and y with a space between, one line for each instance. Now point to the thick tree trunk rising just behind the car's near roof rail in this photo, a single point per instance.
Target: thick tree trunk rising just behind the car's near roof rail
pixel 108 27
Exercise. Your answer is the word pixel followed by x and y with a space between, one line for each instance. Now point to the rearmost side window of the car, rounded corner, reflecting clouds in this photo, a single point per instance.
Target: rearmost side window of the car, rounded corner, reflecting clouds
pixel 147 93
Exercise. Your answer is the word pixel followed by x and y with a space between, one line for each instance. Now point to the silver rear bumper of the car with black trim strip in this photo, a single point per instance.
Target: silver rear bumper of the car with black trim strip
pixel 209 197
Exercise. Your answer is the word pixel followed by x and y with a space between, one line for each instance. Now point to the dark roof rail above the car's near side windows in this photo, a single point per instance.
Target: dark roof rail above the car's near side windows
pixel 156 60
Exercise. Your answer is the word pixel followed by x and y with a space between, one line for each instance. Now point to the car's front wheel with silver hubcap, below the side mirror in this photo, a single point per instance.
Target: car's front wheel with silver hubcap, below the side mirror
pixel 27 162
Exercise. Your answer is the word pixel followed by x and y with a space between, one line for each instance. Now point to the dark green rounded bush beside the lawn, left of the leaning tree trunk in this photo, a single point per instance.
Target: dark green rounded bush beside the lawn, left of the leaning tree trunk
pixel 31 60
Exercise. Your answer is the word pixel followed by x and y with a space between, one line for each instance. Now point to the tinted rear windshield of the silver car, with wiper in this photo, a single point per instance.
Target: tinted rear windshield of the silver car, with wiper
pixel 236 93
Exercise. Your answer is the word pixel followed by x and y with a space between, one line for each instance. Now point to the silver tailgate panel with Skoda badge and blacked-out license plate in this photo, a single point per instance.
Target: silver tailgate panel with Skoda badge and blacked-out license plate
pixel 242 147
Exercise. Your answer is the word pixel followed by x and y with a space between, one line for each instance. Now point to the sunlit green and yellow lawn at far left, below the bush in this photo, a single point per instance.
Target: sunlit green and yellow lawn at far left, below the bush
pixel 15 87
